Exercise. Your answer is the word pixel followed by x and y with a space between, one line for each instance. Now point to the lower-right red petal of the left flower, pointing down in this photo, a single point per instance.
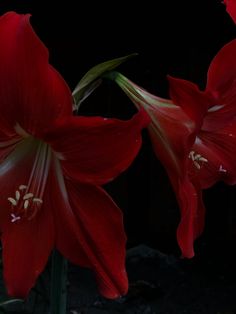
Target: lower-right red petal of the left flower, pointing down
pixel 97 224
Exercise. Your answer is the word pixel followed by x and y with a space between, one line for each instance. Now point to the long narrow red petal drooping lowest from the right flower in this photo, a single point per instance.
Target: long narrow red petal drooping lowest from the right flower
pixel 172 147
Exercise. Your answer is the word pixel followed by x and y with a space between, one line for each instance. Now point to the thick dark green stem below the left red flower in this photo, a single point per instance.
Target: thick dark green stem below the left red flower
pixel 58 284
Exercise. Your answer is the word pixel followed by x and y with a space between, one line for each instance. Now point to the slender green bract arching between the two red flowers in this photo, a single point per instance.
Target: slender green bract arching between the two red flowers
pixel 93 78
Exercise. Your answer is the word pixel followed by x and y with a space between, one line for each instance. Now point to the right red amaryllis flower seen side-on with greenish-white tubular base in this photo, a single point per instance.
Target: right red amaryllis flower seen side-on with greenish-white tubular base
pixel 194 136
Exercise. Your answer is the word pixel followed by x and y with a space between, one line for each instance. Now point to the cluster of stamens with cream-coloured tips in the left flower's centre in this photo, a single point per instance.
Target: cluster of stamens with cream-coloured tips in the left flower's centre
pixel 28 198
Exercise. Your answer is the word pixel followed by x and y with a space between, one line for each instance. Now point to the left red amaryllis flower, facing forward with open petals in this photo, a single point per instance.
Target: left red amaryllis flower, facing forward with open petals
pixel 51 166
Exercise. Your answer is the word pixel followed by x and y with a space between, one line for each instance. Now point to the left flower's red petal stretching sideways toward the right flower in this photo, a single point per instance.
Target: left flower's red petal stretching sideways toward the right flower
pixel 95 150
